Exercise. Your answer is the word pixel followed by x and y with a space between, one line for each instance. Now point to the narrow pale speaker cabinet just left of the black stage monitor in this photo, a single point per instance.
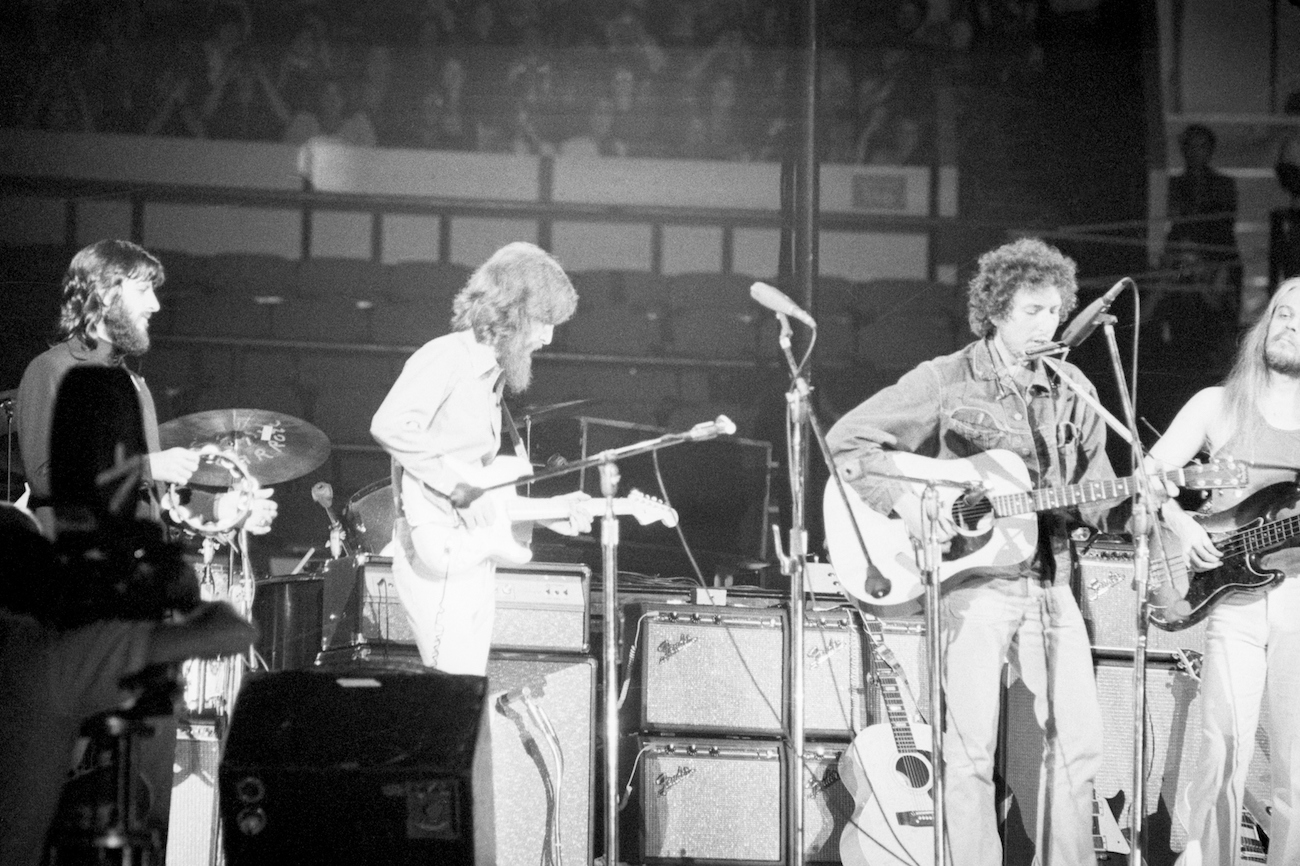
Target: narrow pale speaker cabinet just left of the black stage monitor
pixel 193 824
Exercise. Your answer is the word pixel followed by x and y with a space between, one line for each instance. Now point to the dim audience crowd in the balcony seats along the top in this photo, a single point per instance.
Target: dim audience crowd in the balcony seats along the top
pixel 658 79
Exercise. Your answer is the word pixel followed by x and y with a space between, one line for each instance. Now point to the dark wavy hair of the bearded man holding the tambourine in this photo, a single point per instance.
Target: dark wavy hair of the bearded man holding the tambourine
pixel 93 275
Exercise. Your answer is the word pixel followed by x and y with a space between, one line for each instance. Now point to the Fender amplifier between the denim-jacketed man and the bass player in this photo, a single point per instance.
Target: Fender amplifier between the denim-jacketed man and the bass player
pixel 1110 604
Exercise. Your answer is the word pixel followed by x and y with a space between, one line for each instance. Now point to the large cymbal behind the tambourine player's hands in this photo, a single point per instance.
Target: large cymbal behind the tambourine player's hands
pixel 275 448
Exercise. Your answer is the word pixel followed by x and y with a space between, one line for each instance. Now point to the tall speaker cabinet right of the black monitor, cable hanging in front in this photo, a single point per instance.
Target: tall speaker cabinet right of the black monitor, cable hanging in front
pixel 543 759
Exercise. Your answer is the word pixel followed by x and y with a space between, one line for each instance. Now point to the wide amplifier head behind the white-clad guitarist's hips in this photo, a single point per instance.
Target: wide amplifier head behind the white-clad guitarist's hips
pixel 540 607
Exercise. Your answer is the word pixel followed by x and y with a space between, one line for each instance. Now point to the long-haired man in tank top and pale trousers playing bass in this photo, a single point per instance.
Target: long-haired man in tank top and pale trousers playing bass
pixel 1253 644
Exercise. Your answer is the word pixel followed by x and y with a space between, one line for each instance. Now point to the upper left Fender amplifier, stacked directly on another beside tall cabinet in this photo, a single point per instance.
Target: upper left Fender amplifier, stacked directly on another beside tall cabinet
pixel 707 669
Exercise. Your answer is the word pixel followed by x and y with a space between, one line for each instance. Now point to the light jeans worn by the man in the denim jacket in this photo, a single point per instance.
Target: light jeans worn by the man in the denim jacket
pixel 1039 630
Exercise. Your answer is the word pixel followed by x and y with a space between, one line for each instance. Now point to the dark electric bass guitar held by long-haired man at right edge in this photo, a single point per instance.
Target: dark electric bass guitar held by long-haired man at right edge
pixel 1243 534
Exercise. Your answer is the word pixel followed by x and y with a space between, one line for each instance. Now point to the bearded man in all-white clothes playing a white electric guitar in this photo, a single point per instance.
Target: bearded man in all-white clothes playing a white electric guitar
pixel 443 423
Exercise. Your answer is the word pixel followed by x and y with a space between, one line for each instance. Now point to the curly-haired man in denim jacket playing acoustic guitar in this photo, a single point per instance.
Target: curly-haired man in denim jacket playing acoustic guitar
pixel 994 395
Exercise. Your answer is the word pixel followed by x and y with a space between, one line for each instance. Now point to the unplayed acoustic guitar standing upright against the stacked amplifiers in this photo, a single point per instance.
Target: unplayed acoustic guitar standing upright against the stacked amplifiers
pixel 890 774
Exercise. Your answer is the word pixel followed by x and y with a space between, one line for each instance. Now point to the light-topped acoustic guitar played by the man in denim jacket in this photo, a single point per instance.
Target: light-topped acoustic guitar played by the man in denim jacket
pixel 995 516
